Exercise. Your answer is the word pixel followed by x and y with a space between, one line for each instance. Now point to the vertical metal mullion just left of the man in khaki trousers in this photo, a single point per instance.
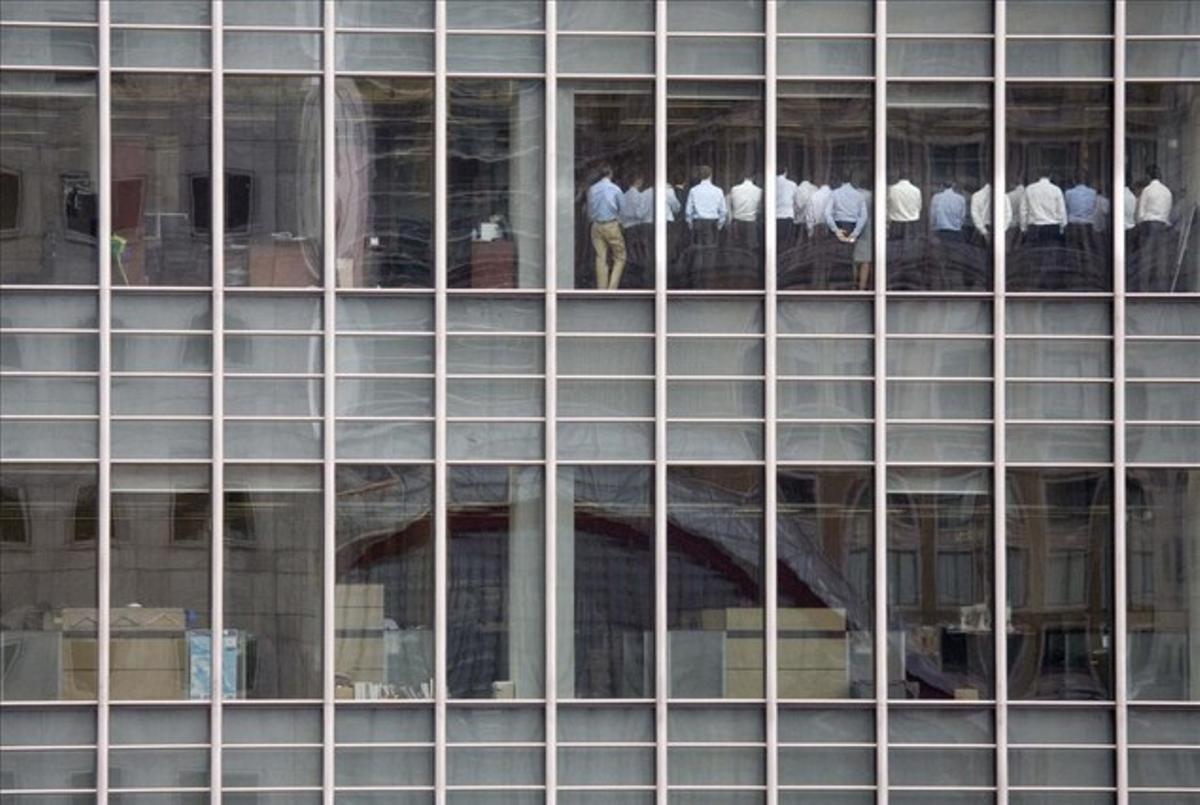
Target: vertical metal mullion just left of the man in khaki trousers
pixel 551 391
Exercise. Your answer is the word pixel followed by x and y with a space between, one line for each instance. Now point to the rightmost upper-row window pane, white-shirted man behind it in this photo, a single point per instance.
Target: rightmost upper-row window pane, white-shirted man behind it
pixel 1163 148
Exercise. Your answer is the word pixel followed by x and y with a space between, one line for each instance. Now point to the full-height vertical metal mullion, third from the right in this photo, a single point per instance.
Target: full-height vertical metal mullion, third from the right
pixel 881 520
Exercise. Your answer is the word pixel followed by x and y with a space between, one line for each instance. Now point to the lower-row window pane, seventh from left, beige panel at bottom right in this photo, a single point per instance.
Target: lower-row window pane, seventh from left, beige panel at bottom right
pixel 715 582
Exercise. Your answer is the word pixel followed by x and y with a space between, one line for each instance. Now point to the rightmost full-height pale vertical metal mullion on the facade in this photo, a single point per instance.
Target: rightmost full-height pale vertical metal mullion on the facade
pixel 1120 570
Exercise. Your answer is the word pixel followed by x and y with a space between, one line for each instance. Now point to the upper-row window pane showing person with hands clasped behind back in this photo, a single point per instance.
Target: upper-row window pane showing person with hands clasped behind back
pixel 825 141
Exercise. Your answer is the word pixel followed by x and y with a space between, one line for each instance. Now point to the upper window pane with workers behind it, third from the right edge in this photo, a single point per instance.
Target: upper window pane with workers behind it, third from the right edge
pixel 940 188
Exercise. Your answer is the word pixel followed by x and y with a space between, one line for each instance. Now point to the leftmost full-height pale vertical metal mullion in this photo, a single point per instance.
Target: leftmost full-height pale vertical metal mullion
pixel 104 491
